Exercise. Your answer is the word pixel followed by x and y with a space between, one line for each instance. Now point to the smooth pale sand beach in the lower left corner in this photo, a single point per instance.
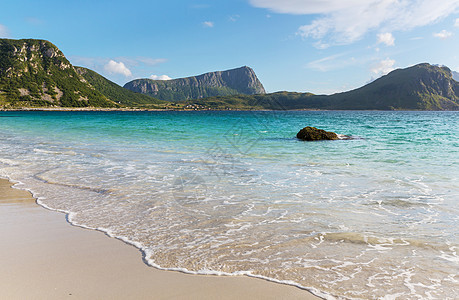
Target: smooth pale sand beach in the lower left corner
pixel 44 257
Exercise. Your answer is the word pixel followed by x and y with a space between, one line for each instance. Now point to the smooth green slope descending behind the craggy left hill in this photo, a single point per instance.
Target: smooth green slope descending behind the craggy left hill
pixel 117 93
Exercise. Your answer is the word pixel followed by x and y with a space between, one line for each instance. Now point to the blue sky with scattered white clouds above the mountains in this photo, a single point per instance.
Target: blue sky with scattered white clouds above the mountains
pixel 318 46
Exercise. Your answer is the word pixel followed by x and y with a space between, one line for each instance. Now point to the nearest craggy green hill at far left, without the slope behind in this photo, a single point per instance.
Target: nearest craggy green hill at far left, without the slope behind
pixel 35 73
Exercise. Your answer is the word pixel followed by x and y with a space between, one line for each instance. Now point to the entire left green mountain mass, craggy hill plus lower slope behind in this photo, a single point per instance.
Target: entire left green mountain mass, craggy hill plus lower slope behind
pixel 35 73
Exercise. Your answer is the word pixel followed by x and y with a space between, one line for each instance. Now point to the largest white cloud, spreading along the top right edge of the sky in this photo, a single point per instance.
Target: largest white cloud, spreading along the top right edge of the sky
pixel 344 22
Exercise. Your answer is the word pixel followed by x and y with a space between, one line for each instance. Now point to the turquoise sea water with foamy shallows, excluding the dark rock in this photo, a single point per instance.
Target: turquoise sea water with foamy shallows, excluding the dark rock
pixel 375 216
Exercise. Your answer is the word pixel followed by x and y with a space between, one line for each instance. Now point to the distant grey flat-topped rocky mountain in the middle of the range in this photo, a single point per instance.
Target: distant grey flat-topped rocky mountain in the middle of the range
pixel 222 83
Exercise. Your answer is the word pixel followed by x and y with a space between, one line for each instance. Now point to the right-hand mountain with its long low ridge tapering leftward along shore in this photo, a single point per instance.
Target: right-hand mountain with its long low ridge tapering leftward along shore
pixel 421 87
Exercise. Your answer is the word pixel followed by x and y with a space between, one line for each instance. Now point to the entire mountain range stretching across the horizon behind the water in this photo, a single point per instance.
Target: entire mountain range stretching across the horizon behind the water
pixel 35 73
